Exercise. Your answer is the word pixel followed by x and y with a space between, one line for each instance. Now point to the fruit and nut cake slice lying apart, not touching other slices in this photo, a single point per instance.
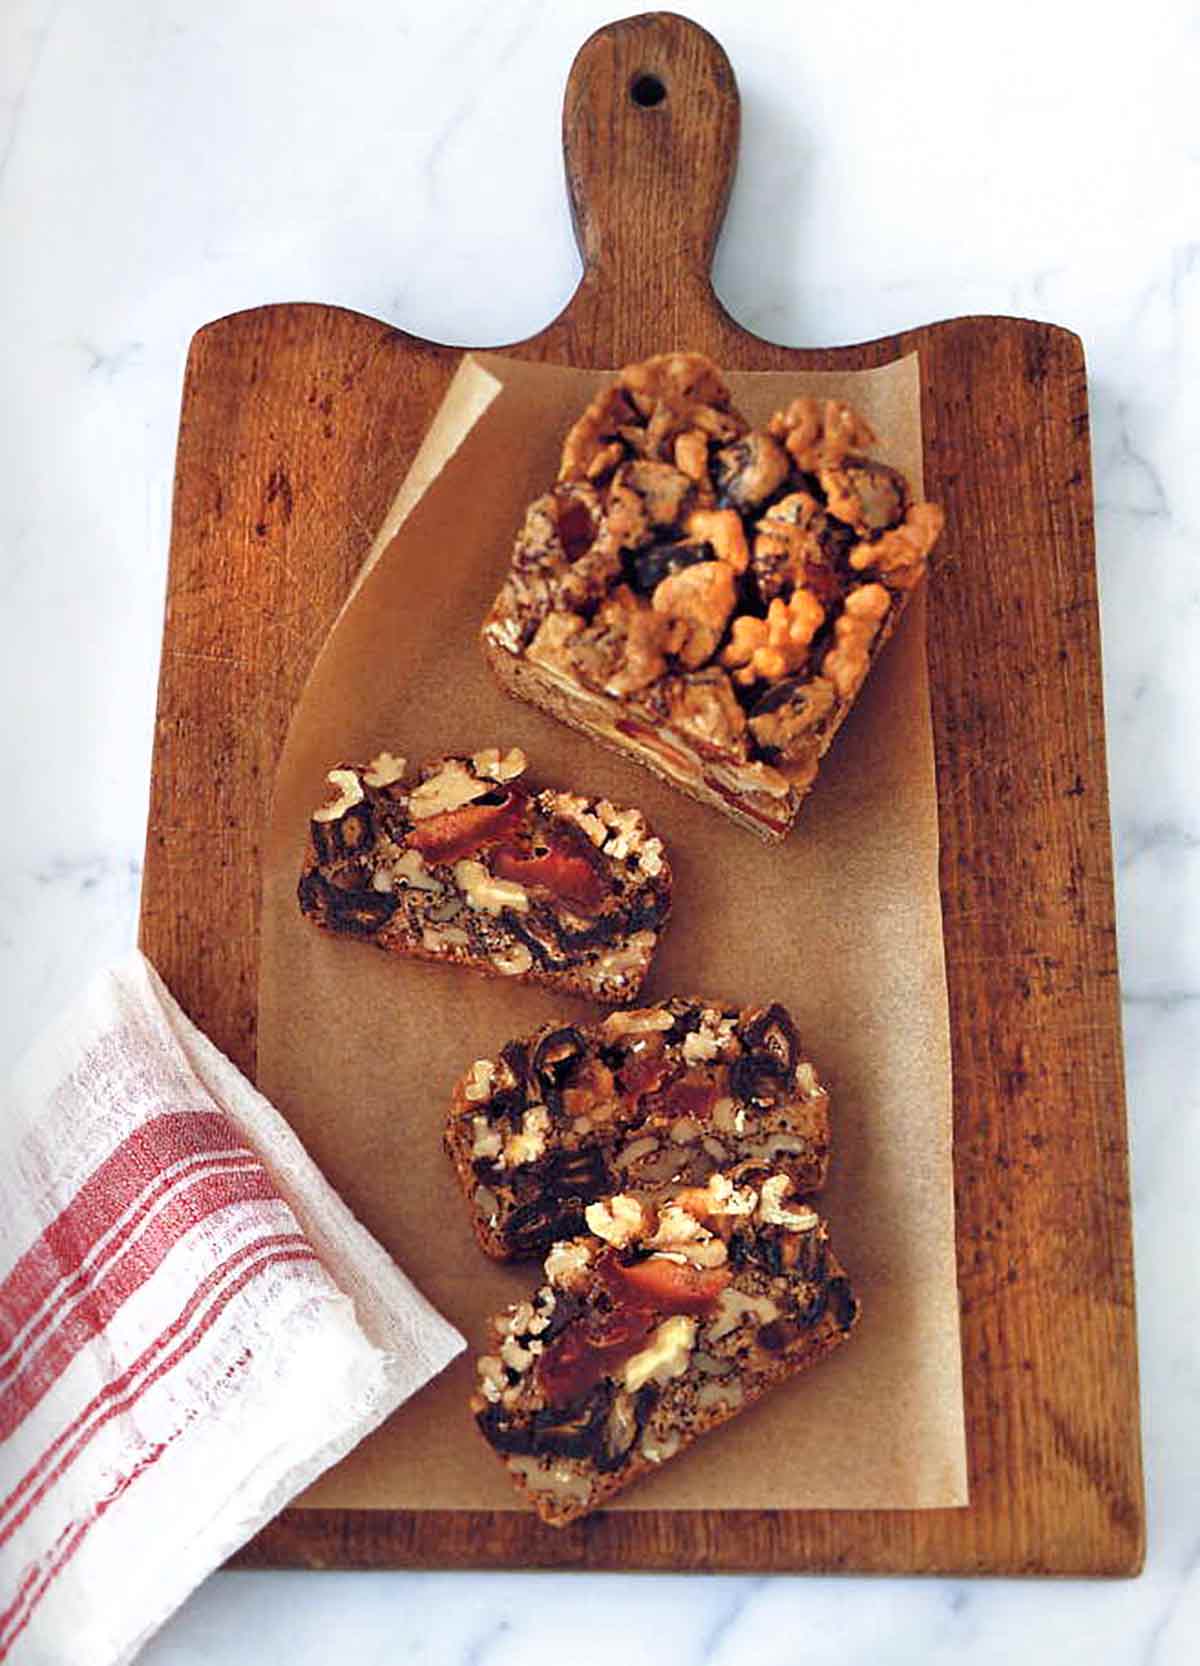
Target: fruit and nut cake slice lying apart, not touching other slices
pixel 469 864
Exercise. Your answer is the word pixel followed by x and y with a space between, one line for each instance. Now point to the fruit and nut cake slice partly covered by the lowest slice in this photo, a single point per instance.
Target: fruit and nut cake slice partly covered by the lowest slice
pixel 647 1100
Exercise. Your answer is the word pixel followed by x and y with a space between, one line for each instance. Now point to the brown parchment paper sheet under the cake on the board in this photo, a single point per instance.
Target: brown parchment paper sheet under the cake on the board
pixel 842 924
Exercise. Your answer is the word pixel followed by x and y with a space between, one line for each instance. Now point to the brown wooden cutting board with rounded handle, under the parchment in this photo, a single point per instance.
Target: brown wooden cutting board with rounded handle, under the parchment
pixel 297 426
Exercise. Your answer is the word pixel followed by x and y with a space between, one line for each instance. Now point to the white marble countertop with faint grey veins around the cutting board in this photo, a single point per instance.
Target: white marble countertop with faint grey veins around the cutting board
pixel 167 162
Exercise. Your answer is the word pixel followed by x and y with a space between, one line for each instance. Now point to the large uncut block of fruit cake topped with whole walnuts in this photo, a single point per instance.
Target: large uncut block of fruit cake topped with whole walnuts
pixel 706 596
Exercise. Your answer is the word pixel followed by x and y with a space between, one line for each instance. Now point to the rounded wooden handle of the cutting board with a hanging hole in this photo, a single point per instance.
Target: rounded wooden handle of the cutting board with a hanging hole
pixel 651 134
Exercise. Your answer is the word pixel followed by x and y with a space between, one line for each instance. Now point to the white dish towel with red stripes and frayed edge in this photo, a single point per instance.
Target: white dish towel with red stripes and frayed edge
pixel 192 1324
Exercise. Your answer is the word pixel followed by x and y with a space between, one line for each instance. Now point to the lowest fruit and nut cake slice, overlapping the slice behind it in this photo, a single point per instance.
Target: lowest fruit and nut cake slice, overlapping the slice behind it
pixel 654 1330
